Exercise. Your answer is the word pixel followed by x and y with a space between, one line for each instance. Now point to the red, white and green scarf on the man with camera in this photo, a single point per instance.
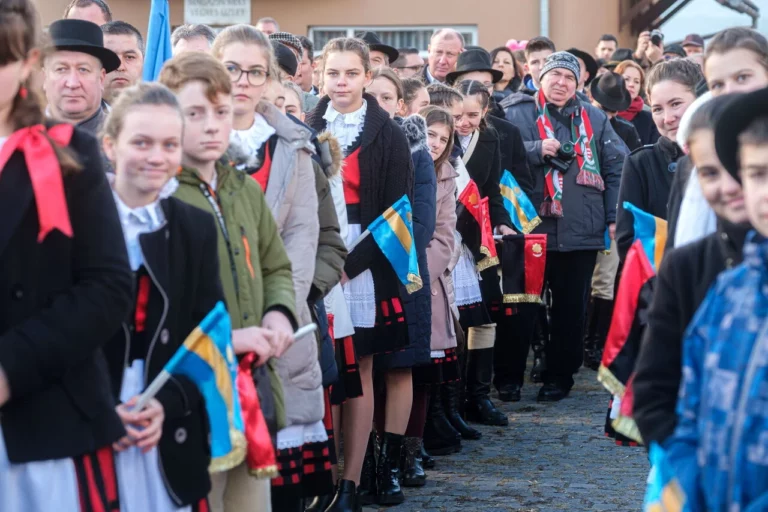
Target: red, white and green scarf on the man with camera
pixel 586 153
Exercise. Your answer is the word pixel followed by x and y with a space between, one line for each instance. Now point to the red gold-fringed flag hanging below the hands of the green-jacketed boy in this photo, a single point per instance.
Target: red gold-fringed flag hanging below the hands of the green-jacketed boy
pixel 261 454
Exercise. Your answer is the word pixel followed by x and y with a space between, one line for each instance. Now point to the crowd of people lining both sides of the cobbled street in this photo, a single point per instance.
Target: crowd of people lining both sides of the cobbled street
pixel 249 172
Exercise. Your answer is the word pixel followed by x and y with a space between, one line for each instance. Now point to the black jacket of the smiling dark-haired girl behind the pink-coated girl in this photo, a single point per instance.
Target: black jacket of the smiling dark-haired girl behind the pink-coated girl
pixel 484 167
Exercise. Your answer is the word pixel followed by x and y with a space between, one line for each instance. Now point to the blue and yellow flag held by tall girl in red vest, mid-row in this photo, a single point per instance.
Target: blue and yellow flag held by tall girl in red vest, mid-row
pixel 393 232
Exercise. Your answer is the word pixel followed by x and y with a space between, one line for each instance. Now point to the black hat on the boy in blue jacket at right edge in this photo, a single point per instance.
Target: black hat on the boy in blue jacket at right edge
pixel 735 118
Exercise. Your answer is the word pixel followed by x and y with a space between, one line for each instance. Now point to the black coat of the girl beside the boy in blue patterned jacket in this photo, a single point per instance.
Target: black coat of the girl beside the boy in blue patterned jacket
pixel 683 281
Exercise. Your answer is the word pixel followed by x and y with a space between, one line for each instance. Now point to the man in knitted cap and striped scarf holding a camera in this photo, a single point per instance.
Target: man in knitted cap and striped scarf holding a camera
pixel 576 158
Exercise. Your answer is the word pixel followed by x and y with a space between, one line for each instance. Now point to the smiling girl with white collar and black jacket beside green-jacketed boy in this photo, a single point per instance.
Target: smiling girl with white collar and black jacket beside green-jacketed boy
pixel 162 462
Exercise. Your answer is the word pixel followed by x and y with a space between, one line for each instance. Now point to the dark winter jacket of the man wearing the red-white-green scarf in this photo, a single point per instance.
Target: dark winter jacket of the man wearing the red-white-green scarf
pixel 587 211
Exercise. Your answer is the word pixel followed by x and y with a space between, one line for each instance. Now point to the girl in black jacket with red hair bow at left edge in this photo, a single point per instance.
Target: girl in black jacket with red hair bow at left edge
pixel 66 286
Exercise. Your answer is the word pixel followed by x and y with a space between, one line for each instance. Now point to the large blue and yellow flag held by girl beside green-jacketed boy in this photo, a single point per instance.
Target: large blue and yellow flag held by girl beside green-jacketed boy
pixel 208 359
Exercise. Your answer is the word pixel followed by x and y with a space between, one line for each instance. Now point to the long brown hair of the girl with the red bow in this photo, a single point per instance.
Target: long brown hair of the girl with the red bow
pixel 19 36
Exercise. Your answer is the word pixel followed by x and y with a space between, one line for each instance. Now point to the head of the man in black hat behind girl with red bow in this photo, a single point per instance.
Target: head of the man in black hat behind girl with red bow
pixel 75 71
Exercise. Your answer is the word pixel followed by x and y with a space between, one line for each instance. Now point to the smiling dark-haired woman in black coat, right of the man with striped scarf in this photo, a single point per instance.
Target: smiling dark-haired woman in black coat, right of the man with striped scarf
pixel 648 172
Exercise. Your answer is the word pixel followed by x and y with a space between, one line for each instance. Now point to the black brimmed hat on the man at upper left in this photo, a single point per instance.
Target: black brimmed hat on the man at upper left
pixel 83 37
